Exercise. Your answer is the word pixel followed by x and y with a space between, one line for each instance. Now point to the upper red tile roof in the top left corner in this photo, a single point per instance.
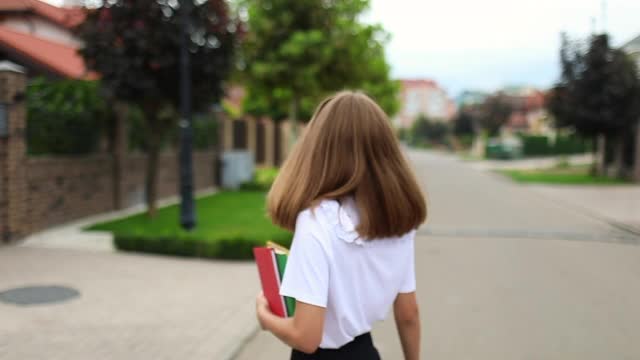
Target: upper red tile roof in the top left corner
pixel 67 17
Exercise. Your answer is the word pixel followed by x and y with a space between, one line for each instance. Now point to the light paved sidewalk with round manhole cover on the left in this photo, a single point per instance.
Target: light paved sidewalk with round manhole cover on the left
pixel 131 306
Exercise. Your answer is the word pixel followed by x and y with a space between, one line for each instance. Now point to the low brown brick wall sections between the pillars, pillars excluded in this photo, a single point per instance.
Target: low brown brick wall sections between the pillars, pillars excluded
pixel 61 189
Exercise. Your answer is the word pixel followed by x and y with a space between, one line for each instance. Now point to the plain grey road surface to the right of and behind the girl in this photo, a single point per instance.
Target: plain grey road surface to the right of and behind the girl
pixel 504 273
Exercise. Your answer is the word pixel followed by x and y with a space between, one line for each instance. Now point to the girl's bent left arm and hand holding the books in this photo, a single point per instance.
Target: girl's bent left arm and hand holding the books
pixel 303 331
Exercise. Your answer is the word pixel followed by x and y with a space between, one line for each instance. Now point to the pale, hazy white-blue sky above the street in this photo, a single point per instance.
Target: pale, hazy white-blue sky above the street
pixel 488 44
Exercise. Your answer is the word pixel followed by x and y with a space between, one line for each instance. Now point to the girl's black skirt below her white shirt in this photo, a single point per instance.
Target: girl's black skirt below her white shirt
pixel 360 348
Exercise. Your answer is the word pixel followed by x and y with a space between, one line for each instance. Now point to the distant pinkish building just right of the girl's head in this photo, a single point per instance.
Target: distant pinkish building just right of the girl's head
pixel 423 96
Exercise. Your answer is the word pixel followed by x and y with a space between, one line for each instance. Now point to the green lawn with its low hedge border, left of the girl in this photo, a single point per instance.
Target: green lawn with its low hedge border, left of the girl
pixel 229 225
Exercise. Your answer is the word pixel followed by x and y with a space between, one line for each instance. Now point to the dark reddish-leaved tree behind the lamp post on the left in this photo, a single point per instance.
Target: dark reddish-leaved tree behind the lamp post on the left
pixel 135 46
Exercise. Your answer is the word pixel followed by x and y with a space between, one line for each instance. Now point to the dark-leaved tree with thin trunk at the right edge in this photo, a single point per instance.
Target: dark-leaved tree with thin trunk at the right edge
pixel 598 92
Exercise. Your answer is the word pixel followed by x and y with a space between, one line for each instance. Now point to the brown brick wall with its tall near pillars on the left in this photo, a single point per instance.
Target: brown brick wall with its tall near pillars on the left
pixel 38 192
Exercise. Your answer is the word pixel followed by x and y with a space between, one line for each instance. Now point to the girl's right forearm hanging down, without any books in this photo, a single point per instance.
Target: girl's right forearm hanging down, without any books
pixel 407 316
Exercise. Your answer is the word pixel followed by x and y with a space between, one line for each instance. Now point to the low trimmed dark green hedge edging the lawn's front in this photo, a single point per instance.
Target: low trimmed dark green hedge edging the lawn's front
pixel 232 248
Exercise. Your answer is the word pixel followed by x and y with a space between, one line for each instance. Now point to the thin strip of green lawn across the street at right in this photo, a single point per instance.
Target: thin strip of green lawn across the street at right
pixel 574 175
